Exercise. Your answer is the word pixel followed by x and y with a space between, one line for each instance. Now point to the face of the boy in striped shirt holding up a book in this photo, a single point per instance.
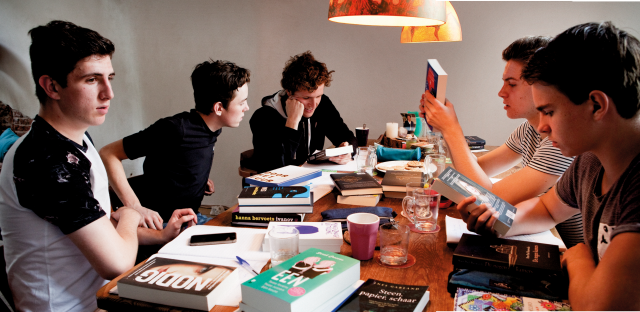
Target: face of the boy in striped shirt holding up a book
pixel 516 93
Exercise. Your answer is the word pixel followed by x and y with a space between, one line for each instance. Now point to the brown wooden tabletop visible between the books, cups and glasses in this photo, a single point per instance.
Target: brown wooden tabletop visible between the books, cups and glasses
pixel 434 261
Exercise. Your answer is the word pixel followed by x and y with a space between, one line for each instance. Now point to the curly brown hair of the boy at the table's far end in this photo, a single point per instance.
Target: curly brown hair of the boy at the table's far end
pixel 303 72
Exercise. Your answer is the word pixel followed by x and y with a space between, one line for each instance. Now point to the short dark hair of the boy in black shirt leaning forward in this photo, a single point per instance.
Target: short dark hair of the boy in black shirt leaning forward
pixel 216 81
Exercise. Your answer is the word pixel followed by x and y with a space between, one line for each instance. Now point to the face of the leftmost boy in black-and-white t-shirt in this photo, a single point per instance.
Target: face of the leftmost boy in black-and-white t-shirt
pixel 86 99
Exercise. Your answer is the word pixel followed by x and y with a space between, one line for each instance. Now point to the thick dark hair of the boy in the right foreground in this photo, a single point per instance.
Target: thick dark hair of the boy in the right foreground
pixel 587 57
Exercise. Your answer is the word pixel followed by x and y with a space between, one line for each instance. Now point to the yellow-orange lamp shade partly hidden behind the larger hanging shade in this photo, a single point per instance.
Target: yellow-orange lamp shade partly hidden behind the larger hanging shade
pixel 450 31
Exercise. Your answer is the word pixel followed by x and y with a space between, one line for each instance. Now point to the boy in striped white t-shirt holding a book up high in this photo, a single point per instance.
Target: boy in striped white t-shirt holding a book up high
pixel 542 163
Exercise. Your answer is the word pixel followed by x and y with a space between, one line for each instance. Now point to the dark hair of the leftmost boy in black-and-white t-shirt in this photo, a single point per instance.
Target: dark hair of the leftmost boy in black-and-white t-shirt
pixel 57 47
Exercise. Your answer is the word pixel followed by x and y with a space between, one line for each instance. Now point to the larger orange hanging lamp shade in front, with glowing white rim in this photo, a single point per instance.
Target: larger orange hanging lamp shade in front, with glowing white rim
pixel 388 12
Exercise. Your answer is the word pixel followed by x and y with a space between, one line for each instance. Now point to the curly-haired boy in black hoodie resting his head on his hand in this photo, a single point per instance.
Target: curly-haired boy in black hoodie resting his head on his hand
pixel 293 122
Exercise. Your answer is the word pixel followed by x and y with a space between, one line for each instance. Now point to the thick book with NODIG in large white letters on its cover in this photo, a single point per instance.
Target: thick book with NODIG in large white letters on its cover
pixel 178 283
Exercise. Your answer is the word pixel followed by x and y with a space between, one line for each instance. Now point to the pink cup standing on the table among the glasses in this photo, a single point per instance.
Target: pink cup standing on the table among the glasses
pixel 363 230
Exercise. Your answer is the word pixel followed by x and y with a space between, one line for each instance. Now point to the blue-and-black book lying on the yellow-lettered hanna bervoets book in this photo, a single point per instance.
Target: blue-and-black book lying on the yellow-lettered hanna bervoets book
pixel 289 199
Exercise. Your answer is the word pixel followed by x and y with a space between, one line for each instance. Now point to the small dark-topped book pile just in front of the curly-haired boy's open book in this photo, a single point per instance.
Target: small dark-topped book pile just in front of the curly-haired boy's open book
pixel 357 189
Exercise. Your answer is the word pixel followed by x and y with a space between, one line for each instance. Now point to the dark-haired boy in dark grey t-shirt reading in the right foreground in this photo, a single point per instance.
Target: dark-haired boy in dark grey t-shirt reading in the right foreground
pixel 586 86
